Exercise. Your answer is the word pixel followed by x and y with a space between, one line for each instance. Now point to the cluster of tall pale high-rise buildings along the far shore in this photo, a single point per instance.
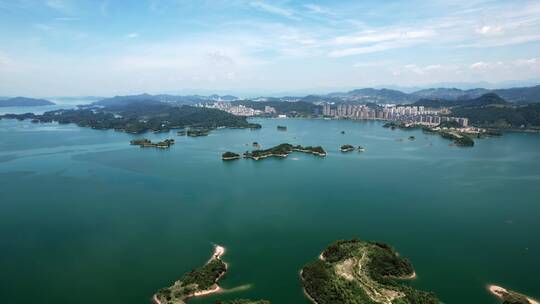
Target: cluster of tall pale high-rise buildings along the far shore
pixel 416 114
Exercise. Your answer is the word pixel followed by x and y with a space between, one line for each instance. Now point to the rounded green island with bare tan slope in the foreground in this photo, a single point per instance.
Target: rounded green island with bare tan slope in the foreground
pixel 358 272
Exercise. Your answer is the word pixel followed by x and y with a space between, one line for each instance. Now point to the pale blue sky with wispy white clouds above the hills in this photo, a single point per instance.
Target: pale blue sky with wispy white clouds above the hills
pixel 77 47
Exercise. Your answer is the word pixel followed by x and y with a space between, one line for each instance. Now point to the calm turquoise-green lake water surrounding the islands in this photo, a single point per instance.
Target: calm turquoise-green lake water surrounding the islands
pixel 87 218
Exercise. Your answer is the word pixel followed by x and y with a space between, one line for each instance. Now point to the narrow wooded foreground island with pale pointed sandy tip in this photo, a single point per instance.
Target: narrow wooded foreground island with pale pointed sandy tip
pixel 198 282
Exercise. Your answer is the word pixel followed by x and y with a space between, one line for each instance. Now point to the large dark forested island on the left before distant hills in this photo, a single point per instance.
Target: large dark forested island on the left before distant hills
pixel 141 116
